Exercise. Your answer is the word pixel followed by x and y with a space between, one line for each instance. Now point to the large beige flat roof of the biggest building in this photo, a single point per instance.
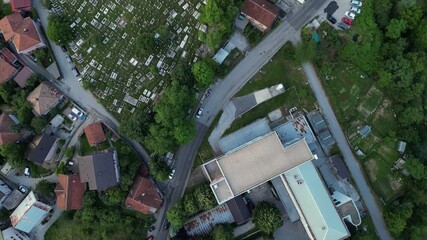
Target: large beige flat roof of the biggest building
pixel 252 164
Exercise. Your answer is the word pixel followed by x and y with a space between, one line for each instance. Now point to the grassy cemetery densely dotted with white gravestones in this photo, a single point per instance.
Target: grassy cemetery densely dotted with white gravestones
pixel 122 76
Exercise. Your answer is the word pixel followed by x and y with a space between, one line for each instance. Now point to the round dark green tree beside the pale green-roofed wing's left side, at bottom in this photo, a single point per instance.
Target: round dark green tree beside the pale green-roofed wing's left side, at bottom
pixel 267 217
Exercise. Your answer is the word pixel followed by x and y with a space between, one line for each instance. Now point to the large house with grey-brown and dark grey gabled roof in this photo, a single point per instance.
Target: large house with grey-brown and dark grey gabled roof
pixel 100 170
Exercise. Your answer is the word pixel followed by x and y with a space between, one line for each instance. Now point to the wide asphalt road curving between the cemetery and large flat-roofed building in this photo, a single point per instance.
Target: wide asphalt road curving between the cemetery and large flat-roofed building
pixel 224 90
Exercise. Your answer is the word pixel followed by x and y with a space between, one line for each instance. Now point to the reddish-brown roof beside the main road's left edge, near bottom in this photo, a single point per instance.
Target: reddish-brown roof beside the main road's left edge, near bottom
pixel 143 196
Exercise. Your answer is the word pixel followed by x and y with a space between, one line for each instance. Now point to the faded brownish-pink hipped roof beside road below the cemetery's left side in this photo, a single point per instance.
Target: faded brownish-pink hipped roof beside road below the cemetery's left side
pixel 43 98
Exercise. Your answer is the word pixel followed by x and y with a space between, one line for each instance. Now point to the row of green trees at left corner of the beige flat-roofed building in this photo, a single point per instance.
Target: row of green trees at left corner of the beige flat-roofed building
pixel 199 198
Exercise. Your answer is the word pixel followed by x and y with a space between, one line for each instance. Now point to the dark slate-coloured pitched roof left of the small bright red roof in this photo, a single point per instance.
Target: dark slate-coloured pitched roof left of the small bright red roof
pixel 41 146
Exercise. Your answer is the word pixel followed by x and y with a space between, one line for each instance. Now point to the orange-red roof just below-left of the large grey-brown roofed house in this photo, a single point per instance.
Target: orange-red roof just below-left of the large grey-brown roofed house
pixel 69 192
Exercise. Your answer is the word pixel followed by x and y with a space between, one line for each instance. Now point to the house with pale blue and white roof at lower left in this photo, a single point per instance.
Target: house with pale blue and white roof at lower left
pixel 29 213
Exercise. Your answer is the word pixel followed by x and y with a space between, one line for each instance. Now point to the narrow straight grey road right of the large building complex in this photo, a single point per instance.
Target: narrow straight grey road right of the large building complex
pixel 352 164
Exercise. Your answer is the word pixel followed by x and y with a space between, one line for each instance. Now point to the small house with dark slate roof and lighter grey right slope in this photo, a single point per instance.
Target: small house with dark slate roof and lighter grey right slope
pixel 42 149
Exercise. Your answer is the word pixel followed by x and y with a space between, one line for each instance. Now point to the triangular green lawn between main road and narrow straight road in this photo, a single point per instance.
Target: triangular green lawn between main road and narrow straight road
pixel 281 69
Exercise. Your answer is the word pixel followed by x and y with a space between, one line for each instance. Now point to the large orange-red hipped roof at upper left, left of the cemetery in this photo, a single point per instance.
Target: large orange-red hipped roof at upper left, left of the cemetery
pixel 21 30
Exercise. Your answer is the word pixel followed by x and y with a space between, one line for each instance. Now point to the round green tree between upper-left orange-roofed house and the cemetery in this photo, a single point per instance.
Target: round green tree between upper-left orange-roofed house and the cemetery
pixel 58 29
